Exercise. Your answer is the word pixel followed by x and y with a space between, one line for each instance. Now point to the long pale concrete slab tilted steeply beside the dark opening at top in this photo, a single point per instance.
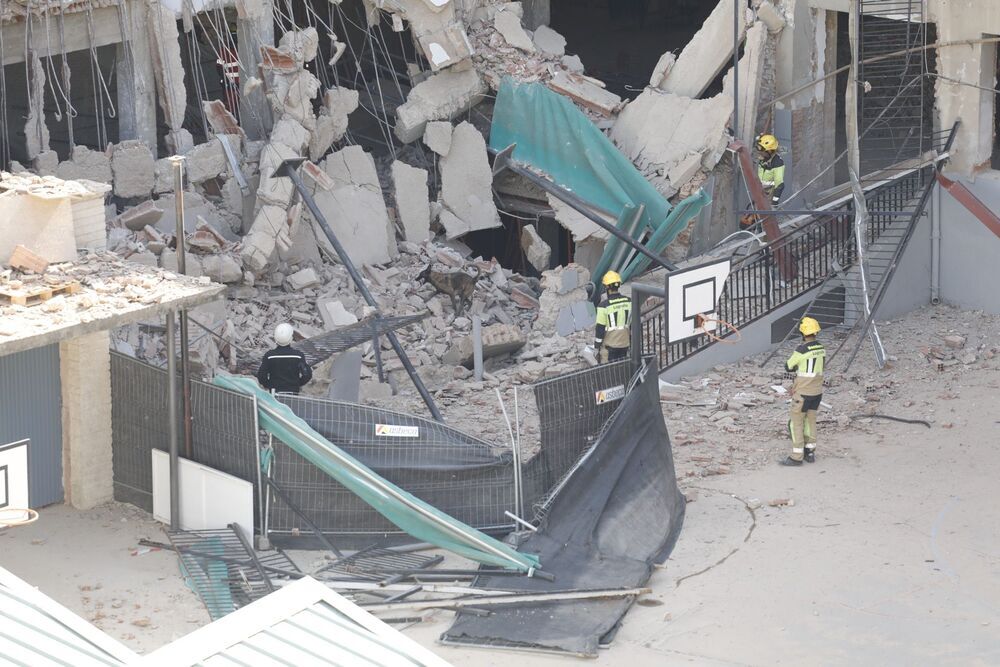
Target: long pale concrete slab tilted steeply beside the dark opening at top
pixel 708 52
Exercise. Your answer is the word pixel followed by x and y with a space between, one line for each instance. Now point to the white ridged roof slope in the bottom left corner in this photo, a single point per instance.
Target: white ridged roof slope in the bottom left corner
pixel 36 631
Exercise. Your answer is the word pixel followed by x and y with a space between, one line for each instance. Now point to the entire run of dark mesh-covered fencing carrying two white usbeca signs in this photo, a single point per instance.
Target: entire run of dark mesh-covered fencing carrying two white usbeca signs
pixel 477 482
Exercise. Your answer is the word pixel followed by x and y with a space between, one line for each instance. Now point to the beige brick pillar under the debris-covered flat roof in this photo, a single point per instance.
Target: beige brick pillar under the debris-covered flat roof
pixel 85 369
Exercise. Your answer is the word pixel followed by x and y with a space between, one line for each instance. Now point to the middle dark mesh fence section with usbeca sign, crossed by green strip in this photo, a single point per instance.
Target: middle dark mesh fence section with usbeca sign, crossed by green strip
pixel 466 477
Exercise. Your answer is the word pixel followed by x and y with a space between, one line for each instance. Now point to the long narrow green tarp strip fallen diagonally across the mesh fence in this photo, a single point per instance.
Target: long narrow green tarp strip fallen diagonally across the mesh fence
pixel 405 510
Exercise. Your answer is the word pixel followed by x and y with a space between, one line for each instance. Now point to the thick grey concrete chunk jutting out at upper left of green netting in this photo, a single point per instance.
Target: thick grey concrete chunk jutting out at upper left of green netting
pixel 440 97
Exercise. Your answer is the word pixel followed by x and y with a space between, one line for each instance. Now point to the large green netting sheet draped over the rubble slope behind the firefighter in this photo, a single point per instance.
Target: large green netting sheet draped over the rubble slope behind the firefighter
pixel 553 136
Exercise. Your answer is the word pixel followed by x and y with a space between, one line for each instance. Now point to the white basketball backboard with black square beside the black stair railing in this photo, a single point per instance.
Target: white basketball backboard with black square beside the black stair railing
pixel 692 292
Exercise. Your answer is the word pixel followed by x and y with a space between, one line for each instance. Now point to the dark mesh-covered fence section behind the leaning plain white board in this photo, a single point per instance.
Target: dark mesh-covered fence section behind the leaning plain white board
pixel 224 429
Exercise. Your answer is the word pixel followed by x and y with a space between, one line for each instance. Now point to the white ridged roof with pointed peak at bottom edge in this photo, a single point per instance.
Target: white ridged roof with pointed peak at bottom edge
pixel 304 623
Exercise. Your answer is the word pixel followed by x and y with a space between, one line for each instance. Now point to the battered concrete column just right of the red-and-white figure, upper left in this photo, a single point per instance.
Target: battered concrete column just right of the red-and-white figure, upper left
pixel 253 30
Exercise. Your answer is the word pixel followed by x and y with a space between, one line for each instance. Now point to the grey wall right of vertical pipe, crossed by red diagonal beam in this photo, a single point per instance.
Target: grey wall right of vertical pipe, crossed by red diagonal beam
pixel 969 250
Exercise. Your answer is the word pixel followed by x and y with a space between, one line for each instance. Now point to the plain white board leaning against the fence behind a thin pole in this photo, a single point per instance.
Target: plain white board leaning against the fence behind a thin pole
pixel 209 498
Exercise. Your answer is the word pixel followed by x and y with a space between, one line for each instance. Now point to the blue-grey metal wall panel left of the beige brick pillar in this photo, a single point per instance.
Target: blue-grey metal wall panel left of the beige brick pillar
pixel 31 407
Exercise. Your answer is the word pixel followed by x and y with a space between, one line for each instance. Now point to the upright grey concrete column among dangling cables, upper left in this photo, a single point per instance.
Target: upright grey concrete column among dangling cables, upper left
pixel 136 81
